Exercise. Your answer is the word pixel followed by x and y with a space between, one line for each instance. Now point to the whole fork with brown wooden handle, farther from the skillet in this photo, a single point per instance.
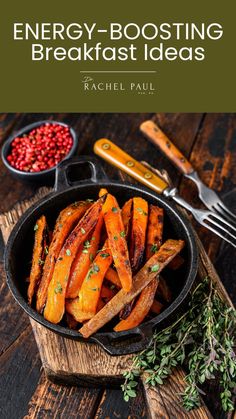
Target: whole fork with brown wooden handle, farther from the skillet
pixel 207 195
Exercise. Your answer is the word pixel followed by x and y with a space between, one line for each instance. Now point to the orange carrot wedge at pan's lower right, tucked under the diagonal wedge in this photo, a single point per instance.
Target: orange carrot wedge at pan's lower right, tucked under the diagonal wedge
pixel 140 309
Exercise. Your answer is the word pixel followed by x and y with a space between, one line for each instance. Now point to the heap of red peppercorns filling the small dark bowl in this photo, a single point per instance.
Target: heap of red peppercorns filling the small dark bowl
pixel 41 149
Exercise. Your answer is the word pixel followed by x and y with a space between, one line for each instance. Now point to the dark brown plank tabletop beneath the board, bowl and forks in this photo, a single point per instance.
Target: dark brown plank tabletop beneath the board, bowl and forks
pixel 209 140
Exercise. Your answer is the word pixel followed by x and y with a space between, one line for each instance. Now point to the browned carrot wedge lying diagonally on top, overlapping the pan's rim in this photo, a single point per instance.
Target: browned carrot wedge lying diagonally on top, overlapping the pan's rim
pixel 150 270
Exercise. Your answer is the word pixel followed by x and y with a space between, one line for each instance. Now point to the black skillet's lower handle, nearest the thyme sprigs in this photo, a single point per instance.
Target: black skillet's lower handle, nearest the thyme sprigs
pixel 134 341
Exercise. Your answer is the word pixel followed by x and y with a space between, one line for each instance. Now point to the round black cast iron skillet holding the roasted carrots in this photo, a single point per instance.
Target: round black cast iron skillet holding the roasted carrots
pixel 19 250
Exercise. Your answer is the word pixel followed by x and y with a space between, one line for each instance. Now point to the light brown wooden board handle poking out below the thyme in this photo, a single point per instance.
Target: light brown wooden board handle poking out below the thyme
pixel 164 401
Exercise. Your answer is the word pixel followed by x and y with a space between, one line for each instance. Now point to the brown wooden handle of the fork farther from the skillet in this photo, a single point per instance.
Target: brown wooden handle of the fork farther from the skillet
pixel 157 137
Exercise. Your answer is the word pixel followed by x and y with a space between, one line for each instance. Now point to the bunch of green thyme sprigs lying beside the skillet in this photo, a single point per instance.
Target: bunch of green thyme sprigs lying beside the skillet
pixel 203 339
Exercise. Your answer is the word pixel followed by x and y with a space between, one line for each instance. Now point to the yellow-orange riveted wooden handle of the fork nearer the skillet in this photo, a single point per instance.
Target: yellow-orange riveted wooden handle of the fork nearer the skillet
pixel 117 157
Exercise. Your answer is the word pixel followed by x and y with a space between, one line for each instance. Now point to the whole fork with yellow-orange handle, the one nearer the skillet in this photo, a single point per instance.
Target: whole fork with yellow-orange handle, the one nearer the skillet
pixel 123 161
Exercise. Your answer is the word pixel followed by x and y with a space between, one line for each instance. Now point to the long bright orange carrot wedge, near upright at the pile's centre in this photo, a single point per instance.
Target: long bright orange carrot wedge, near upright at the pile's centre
pixel 117 242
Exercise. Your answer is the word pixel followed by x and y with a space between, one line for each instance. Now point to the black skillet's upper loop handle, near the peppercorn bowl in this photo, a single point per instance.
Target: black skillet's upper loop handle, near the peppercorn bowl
pixel 63 171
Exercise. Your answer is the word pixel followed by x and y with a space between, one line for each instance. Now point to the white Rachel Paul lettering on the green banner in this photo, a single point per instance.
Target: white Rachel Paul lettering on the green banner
pixel 141 88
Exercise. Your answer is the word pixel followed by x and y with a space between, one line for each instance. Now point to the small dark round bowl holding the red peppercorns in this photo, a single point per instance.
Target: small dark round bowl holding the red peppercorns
pixel 45 176
